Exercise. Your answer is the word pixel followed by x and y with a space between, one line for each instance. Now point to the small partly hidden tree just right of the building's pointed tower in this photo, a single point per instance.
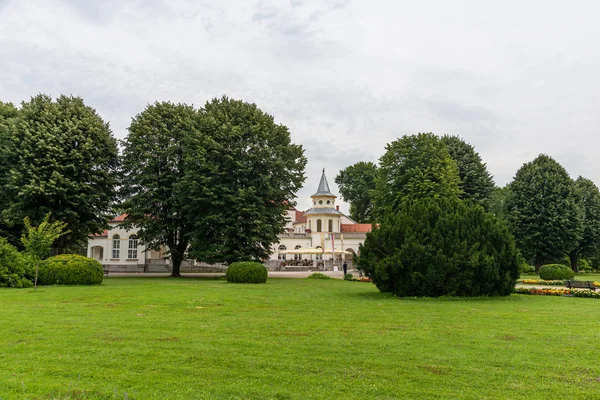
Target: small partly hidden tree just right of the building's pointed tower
pixel 356 184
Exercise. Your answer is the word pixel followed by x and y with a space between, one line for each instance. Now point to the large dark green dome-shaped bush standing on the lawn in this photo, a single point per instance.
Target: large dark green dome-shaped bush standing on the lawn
pixel 441 246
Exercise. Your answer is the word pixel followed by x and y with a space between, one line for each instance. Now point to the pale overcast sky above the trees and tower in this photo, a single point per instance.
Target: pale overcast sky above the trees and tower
pixel 514 78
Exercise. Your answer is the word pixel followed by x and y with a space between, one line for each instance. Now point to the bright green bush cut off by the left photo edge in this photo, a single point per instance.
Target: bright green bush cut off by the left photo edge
pixel 16 269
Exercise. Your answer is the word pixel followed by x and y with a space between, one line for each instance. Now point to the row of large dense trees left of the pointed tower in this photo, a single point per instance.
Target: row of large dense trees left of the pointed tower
pixel 211 183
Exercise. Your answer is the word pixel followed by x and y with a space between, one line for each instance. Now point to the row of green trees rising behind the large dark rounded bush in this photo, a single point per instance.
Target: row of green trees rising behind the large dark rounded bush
pixel 552 217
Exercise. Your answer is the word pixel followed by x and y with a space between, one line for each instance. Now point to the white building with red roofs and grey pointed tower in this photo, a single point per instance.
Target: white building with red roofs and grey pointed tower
pixel 327 236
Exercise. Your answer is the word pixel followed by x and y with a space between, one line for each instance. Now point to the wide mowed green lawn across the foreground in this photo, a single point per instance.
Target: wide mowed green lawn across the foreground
pixel 161 338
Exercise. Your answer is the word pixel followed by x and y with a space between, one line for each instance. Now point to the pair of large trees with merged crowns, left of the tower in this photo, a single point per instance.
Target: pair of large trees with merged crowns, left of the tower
pixel 212 184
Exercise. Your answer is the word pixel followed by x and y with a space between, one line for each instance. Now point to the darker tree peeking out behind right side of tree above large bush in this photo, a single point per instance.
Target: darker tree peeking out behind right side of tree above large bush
pixel 476 182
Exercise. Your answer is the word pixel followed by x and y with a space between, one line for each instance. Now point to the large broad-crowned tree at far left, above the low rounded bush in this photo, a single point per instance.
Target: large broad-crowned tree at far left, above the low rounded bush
pixel 64 160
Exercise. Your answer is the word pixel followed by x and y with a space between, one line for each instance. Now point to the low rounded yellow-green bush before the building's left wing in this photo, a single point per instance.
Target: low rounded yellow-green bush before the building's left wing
pixel 70 269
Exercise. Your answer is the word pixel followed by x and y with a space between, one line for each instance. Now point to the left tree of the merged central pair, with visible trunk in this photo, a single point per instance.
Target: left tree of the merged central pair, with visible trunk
pixel 154 167
